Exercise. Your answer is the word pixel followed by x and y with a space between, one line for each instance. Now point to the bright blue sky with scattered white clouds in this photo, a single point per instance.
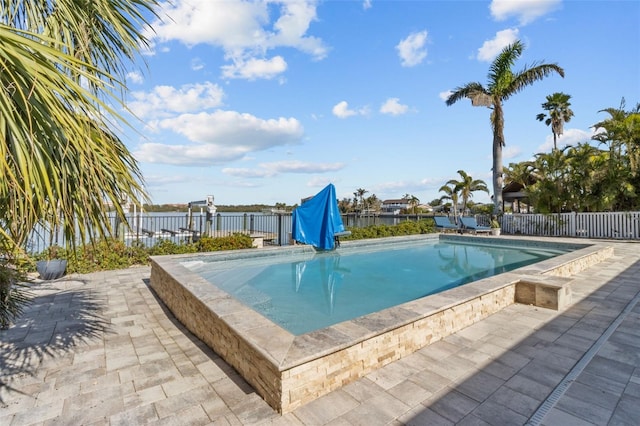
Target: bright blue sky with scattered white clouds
pixel 265 102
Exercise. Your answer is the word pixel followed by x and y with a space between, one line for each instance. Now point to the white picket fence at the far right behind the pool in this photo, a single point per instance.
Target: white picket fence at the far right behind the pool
pixel 617 225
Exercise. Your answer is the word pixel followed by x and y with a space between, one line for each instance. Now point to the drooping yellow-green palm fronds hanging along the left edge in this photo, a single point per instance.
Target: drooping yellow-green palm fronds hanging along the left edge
pixel 63 67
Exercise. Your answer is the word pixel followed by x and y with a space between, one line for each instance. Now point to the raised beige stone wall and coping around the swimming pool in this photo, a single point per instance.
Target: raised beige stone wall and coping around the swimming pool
pixel 289 371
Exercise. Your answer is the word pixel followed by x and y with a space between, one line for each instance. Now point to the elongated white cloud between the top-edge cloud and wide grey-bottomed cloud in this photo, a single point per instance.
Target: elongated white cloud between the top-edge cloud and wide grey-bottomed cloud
pixel 163 101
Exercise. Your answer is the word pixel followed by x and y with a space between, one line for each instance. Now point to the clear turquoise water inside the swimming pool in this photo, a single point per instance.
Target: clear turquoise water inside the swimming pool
pixel 307 292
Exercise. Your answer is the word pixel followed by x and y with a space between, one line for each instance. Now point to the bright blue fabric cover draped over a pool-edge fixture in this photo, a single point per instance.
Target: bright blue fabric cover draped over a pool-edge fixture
pixel 318 220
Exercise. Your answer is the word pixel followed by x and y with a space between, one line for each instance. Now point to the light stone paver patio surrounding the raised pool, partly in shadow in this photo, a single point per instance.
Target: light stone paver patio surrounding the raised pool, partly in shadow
pixel 101 349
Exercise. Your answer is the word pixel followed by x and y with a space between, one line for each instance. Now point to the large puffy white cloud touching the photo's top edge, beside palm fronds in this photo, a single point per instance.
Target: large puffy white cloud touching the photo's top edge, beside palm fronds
pixel 245 30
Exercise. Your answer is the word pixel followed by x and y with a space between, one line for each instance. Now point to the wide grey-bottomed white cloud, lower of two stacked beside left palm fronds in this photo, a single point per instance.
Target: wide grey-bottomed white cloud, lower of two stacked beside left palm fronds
pixel 219 137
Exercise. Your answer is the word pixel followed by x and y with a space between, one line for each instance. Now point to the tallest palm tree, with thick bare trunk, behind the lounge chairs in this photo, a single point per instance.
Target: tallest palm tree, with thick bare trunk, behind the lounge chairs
pixel 502 84
